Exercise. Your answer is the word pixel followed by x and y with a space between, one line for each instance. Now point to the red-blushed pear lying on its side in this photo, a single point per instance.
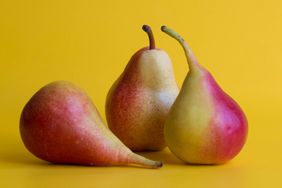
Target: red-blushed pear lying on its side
pixel 60 124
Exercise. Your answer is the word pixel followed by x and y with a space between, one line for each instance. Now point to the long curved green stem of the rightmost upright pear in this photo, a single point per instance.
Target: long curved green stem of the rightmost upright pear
pixel 191 59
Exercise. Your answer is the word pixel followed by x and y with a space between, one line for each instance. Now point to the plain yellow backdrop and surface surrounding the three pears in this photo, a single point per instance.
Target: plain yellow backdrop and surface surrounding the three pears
pixel 90 42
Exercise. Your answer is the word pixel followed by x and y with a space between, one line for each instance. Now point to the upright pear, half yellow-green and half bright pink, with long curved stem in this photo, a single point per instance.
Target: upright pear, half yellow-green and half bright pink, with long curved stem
pixel 204 125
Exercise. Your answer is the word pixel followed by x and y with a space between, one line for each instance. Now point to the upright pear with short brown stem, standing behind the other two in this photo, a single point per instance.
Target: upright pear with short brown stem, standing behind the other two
pixel 138 102
